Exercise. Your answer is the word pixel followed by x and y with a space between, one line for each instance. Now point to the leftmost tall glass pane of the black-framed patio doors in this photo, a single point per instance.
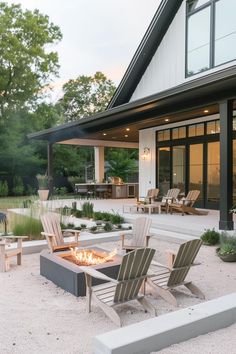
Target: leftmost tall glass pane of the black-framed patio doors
pixel 164 170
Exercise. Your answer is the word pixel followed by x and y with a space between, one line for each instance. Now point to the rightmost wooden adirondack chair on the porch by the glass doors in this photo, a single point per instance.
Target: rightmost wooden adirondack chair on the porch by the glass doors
pixel 185 205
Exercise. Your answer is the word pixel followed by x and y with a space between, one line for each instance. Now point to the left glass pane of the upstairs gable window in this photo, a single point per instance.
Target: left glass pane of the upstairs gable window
pixel 199 41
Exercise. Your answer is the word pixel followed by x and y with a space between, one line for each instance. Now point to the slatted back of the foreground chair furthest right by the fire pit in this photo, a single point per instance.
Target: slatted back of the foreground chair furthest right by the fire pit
pixel 184 259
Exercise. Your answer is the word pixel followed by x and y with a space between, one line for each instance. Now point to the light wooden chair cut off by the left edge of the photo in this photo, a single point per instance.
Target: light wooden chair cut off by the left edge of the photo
pixel 5 253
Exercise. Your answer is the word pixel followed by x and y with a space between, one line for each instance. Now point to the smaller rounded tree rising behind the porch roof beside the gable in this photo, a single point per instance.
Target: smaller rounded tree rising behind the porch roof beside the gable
pixel 86 96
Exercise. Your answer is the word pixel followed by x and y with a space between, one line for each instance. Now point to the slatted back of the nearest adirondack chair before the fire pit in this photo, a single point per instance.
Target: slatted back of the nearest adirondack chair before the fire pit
pixel 133 269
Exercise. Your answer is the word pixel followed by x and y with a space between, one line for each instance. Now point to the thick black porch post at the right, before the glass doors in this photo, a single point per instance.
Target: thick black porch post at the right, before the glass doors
pixel 226 165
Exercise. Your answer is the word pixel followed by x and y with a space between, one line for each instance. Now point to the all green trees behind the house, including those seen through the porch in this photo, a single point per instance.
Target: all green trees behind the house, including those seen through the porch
pixel 27 66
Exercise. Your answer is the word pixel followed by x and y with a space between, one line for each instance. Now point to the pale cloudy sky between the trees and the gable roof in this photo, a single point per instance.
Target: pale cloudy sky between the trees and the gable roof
pixel 98 35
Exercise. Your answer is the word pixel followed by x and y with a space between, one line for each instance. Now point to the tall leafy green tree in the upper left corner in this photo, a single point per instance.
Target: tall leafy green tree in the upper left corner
pixel 26 63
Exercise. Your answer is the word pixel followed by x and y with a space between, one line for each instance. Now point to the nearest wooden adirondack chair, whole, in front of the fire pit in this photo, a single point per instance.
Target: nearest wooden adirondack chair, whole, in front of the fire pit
pixel 132 273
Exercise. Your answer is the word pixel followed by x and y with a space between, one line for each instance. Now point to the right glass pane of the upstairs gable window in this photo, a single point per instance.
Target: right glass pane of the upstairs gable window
pixel 225 31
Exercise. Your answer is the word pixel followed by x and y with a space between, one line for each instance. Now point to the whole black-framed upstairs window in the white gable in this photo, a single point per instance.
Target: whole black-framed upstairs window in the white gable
pixel 211 34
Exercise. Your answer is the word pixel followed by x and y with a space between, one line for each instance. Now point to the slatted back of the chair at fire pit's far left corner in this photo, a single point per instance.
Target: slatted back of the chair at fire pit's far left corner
pixel 51 225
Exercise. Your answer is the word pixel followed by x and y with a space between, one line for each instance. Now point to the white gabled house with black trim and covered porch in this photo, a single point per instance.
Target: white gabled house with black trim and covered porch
pixel 176 102
